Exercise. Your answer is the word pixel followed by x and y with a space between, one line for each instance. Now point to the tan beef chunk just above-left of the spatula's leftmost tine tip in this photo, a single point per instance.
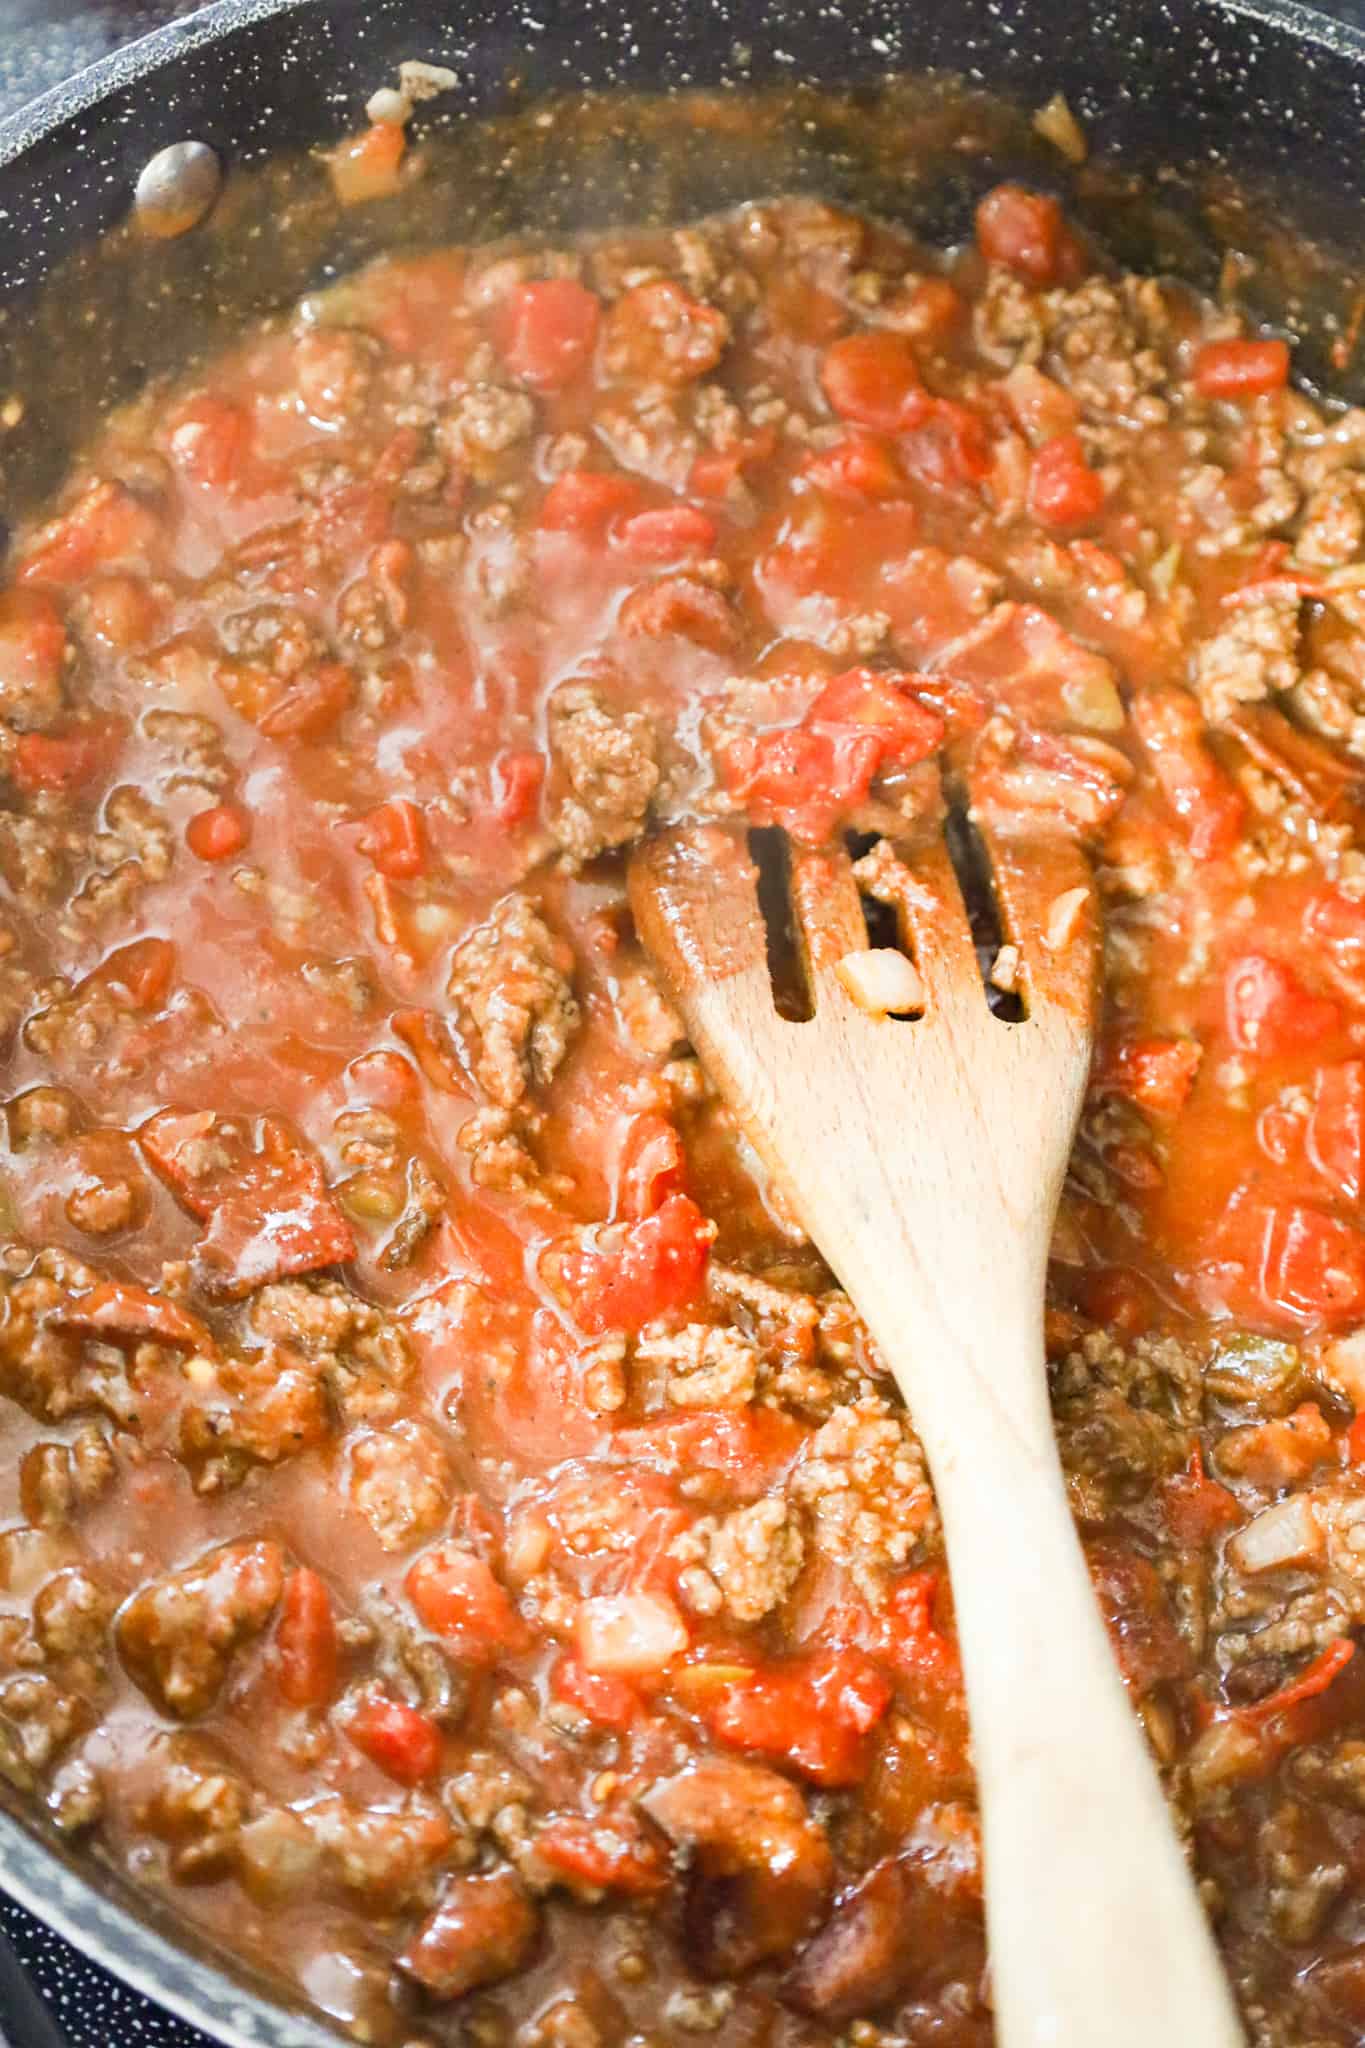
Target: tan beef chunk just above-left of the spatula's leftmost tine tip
pixel 611 771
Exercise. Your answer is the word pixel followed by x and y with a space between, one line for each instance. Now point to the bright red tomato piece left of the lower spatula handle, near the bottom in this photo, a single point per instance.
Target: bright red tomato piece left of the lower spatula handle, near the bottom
pixel 813 1715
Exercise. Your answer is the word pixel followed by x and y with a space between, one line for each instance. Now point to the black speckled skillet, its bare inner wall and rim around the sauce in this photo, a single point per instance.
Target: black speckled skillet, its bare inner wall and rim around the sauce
pixel 1260 105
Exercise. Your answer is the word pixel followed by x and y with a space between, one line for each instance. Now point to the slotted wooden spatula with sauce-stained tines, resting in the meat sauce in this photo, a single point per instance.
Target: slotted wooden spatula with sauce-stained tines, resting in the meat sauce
pixel 926 1160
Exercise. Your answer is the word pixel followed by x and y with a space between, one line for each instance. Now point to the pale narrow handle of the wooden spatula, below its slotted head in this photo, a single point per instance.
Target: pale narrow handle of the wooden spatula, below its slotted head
pixel 1098 1938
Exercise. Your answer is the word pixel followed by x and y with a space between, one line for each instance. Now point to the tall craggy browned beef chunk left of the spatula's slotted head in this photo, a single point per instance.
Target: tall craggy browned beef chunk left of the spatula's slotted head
pixel 513 1000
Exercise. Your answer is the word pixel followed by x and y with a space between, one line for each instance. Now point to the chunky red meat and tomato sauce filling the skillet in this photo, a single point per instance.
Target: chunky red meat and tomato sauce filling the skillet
pixel 459 1543
